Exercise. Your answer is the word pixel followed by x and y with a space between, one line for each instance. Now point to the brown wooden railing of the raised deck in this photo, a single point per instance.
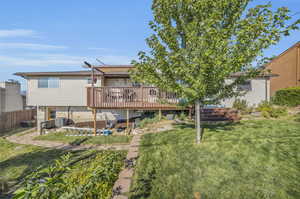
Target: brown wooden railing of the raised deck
pixel 130 97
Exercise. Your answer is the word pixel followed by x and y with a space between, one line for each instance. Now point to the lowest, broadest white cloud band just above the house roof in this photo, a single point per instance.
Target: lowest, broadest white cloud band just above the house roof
pixel 48 60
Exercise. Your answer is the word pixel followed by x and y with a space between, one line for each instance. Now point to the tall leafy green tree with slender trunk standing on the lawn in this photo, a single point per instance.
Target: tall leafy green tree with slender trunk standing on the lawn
pixel 198 44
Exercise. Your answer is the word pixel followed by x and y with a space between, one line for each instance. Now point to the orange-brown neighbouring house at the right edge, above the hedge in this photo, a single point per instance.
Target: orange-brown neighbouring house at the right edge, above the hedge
pixel 287 67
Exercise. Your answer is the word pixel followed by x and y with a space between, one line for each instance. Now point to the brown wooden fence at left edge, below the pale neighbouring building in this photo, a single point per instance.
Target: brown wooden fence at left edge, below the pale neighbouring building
pixel 10 120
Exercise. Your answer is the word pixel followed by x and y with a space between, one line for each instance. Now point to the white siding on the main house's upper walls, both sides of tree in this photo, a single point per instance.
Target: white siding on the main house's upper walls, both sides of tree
pixel 72 92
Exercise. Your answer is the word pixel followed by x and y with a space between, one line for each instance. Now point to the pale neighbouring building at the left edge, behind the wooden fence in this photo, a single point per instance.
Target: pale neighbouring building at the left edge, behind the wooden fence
pixel 10 96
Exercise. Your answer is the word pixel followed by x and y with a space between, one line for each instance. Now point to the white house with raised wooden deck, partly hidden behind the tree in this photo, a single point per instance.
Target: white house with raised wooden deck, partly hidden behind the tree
pixel 109 93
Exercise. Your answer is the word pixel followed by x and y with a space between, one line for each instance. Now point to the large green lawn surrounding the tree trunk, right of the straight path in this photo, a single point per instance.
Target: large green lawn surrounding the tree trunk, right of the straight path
pixel 253 159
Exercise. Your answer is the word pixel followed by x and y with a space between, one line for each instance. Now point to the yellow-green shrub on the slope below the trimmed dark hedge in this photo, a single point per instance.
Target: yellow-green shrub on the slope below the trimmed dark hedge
pixel 269 110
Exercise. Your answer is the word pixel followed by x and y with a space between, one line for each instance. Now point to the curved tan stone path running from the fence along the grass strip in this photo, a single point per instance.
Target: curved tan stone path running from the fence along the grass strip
pixel 28 138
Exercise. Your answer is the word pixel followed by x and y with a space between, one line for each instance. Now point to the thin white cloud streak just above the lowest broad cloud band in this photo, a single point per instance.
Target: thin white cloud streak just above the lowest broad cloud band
pixel 31 46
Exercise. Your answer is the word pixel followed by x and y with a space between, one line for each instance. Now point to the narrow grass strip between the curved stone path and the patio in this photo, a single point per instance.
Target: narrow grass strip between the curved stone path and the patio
pixel 98 140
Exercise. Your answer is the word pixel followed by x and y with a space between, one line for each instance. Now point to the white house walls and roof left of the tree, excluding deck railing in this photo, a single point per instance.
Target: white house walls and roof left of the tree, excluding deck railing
pixel 64 94
